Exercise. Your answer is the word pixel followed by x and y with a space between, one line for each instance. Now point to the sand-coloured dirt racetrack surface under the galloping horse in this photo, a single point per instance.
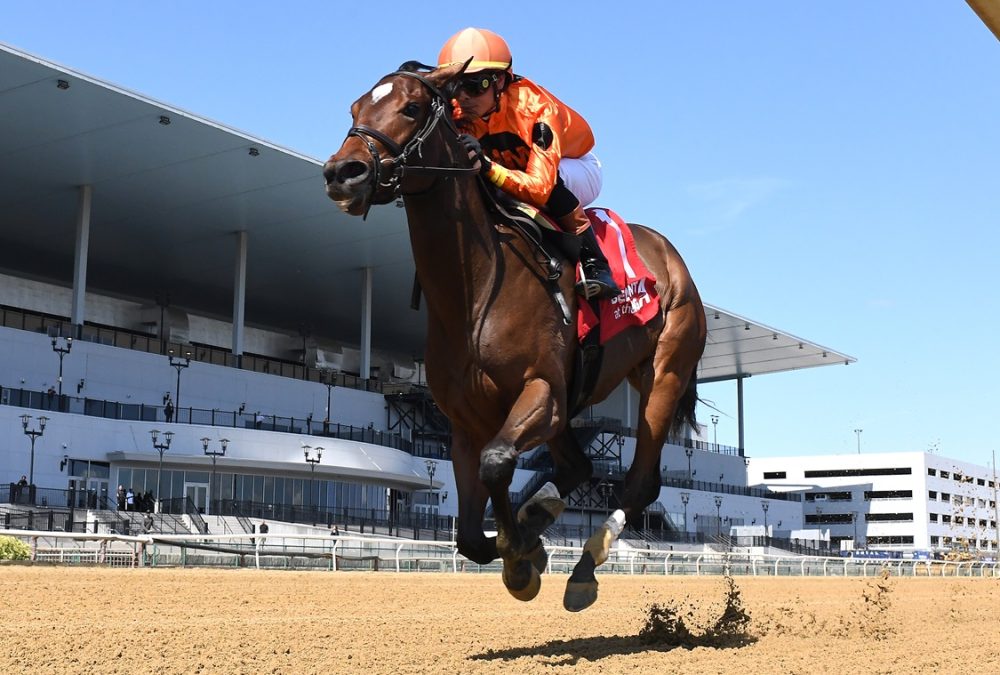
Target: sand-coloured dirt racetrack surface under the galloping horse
pixel 96 620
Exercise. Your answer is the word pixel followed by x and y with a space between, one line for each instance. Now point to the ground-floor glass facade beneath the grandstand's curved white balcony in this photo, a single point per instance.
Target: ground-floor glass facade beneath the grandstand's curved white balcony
pixel 261 489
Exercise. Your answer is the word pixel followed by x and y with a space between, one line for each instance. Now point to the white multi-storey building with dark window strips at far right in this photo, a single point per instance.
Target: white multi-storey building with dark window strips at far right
pixel 904 501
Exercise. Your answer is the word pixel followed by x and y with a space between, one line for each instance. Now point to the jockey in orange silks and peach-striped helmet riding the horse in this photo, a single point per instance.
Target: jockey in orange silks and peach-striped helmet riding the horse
pixel 530 144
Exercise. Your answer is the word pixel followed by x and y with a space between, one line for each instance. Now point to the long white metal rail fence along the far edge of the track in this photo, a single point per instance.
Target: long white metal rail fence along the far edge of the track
pixel 352 552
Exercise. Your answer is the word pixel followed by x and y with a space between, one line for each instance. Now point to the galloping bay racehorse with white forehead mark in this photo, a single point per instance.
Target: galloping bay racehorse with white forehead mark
pixel 500 356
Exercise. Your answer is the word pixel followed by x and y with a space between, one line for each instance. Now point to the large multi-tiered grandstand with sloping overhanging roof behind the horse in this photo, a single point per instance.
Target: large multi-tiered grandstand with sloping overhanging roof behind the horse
pixel 166 307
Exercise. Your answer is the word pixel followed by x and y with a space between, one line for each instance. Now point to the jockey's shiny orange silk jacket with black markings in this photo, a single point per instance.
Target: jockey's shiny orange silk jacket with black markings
pixel 527 137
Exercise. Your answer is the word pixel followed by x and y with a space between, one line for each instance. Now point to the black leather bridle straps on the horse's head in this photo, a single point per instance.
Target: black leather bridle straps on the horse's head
pixel 398 166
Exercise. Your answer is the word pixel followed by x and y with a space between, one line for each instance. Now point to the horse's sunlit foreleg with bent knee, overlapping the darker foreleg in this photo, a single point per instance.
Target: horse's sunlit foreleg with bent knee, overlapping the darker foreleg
pixel 532 420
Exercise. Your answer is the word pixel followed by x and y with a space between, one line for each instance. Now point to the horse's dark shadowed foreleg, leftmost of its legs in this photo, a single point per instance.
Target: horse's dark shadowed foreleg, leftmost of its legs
pixel 472 495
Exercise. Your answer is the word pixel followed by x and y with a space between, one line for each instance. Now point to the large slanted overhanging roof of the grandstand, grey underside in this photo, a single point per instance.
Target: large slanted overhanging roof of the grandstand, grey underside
pixel 170 189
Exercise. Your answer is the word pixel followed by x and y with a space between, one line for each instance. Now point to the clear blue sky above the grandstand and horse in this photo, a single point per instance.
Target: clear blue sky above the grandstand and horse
pixel 828 169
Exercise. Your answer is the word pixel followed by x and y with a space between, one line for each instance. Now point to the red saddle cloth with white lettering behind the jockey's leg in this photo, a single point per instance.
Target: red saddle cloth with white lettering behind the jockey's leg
pixel 638 302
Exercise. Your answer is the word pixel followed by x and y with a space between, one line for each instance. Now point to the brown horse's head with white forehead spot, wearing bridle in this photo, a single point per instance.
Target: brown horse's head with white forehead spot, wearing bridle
pixel 391 123
